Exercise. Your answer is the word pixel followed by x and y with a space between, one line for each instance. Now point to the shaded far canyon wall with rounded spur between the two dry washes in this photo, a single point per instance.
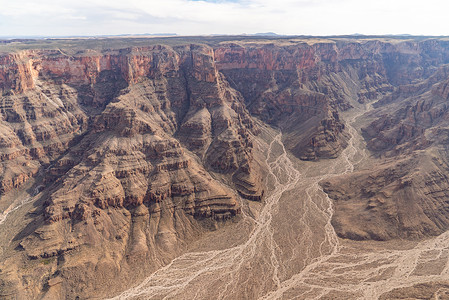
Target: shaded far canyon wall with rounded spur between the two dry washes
pixel 291 84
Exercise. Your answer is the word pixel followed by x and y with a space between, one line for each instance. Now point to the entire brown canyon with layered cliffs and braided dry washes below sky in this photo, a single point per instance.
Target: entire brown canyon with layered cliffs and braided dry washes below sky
pixel 224 168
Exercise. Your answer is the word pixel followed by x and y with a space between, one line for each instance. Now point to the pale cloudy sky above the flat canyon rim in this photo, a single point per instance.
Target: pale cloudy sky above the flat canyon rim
pixel 193 17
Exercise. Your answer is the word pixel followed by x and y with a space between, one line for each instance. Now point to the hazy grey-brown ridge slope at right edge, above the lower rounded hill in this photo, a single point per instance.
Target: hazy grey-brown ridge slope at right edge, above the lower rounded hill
pixel 415 108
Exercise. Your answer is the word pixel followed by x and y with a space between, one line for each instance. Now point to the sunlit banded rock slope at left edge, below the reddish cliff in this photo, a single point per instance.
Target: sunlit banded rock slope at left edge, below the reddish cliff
pixel 37 127
